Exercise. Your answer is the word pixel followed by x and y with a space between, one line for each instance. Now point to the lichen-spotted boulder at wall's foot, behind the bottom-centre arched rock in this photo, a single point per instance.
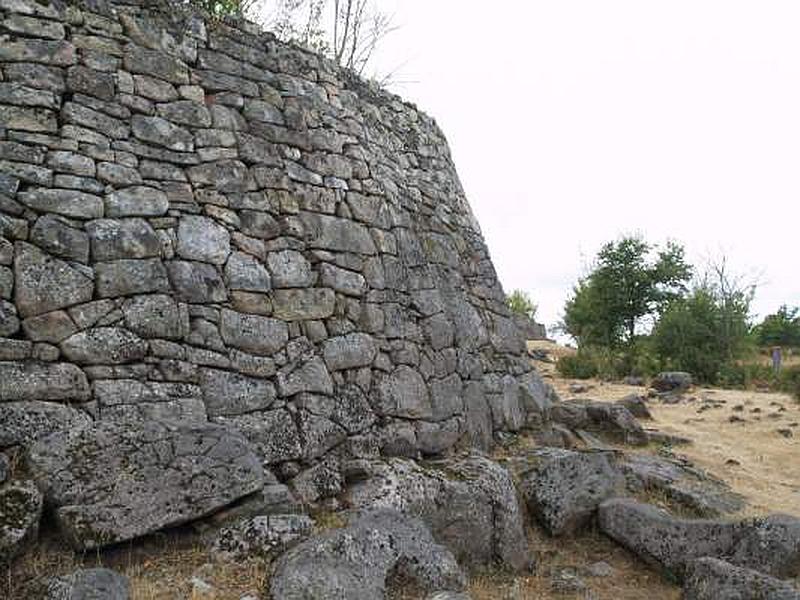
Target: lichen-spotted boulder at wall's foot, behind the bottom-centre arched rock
pixel 469 503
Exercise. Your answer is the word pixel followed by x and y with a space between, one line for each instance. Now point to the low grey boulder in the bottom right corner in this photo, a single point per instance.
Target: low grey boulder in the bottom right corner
pixel 713 579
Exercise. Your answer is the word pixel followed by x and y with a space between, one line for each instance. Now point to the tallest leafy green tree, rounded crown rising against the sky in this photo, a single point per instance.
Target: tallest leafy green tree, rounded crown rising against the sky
pixel 632 280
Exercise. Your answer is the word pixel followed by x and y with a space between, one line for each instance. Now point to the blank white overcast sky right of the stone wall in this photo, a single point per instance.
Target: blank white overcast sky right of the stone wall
pixel 574 122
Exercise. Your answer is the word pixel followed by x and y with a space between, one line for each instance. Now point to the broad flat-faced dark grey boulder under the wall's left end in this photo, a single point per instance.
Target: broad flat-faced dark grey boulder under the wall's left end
pixel 112 482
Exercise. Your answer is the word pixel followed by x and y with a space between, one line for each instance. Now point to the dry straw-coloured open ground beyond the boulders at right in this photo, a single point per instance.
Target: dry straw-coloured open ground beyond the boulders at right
pixel 735 435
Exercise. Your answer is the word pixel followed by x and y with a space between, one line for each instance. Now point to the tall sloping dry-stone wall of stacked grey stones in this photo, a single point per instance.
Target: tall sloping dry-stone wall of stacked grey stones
pixel 202 223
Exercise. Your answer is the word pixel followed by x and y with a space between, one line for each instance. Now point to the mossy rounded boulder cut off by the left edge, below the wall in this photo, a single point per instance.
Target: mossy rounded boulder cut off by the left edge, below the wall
pixel 20 513
